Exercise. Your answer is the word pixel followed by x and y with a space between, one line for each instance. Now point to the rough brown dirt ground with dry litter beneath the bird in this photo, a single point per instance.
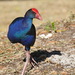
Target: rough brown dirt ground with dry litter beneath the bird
pixel 55 55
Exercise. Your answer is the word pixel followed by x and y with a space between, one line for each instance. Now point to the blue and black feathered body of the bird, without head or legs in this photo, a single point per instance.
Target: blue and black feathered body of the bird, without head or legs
pixel 21 30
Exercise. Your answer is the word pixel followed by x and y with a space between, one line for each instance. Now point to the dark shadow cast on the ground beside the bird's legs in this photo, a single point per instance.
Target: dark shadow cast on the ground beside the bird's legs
pixel 41 55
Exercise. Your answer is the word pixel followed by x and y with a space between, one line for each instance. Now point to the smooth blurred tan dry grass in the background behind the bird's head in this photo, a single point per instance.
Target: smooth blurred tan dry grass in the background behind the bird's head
pixel 49 9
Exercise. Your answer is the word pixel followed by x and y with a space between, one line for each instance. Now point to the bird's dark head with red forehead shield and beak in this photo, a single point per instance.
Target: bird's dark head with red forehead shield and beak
pixel 33 13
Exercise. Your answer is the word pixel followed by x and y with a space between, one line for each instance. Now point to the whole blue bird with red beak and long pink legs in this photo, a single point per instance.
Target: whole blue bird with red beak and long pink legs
pixel 22 30
